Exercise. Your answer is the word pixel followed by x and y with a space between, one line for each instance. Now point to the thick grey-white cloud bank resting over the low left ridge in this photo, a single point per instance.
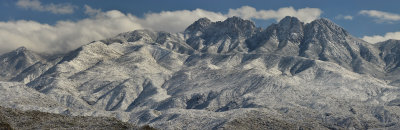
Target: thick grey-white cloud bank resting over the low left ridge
pixel 65 35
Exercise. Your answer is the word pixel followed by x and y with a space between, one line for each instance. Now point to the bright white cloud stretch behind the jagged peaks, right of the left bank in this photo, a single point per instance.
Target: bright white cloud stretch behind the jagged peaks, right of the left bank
pixel 177 21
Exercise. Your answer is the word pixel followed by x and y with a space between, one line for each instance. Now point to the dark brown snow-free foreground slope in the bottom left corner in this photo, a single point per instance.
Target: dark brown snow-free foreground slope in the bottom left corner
pixel 15 119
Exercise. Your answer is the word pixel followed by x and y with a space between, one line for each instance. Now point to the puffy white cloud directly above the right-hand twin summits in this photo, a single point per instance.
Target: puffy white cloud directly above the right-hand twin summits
pixel 305 14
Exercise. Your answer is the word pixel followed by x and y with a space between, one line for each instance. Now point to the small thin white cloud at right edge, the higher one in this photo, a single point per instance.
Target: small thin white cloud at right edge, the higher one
pixel 381 16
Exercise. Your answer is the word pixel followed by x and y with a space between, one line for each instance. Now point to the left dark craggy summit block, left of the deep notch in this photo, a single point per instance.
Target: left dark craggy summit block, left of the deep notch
pixel 220 37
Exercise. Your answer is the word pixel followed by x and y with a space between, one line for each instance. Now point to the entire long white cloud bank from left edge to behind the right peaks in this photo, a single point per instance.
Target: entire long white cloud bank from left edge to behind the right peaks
pixel 68 35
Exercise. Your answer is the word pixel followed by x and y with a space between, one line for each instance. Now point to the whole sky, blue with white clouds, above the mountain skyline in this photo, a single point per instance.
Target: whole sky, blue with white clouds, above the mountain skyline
pixel 370 20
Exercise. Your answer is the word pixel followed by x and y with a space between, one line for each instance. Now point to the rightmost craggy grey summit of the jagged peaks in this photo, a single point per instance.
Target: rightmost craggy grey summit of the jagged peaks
pixel 325 41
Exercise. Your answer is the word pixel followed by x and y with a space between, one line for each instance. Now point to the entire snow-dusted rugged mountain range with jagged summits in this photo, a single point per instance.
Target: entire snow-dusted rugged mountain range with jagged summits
pixel 217 75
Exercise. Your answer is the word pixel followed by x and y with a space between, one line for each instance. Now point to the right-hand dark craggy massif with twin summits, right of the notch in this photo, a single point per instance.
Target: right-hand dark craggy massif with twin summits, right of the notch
pixel 320 40
